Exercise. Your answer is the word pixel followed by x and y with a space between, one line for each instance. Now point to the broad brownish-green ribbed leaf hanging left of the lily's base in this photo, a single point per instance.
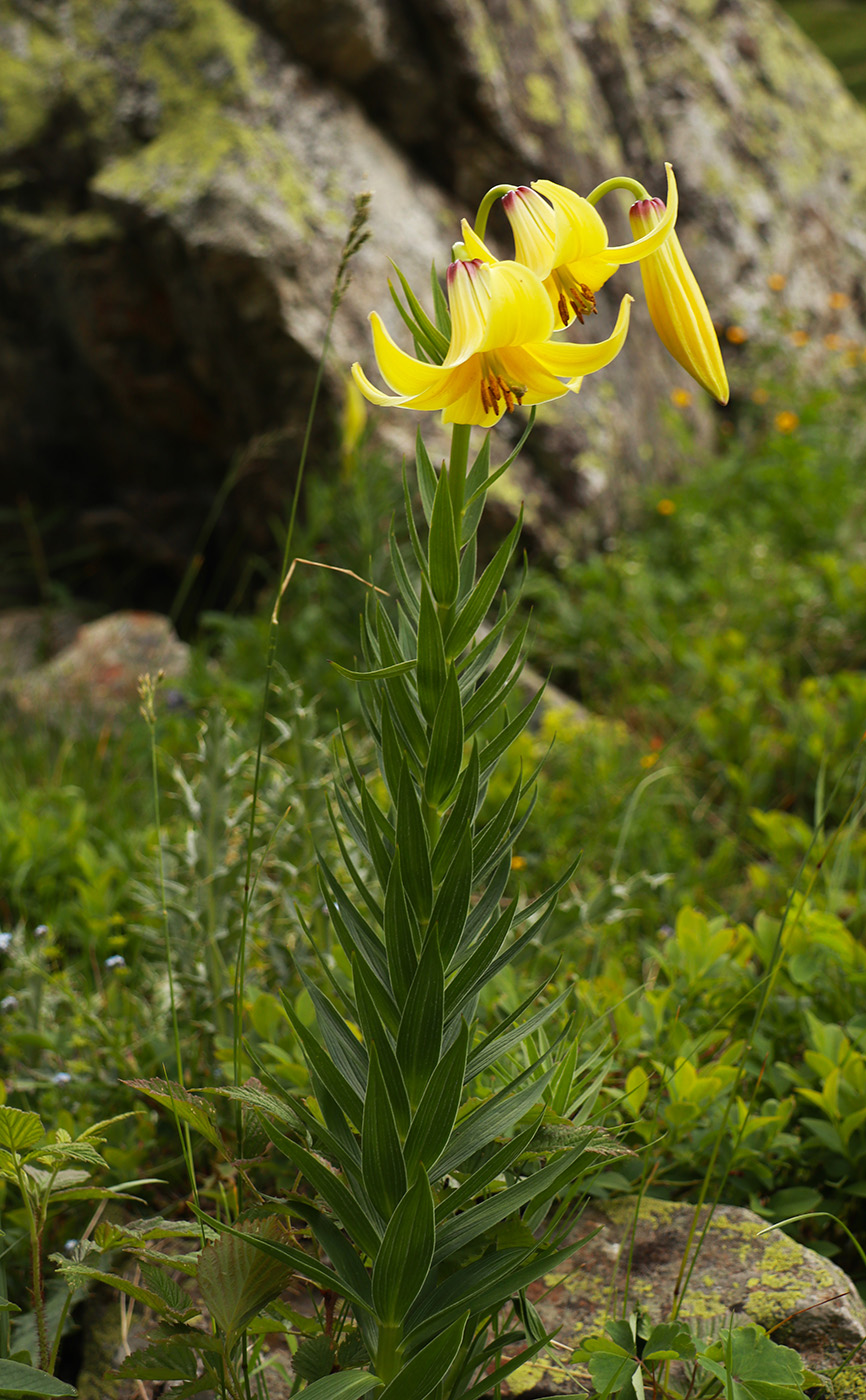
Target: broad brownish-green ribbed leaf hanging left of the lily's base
pixel 237 1280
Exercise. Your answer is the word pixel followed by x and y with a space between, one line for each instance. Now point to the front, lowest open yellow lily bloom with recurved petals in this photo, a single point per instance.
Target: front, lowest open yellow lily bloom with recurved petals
pixel 500 353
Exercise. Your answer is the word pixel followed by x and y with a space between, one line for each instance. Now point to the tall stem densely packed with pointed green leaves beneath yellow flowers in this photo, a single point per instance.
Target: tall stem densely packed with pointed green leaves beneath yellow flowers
pixel 434 1146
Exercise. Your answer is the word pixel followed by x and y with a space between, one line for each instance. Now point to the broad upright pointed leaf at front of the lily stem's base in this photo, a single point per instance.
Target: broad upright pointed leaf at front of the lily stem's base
pixel 405 1256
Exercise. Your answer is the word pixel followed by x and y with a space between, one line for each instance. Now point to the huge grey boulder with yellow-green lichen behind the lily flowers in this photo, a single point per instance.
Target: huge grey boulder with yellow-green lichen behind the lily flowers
pixel 178 177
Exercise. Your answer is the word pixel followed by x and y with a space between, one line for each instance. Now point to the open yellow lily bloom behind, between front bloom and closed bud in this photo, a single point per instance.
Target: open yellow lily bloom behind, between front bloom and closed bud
pixel 563 239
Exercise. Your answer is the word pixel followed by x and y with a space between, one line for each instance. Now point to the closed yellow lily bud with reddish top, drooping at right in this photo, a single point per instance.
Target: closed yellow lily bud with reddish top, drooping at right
pixel 676 304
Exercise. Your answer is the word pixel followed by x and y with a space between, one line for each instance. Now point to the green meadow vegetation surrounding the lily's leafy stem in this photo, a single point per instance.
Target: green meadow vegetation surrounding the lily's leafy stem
pixel 710 943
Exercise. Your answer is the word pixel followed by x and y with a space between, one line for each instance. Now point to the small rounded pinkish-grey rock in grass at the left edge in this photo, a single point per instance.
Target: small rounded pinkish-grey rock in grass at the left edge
pixel 96 678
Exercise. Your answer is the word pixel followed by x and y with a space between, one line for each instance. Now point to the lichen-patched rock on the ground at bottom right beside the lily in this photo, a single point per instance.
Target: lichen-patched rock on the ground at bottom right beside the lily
pixel 739 1275
